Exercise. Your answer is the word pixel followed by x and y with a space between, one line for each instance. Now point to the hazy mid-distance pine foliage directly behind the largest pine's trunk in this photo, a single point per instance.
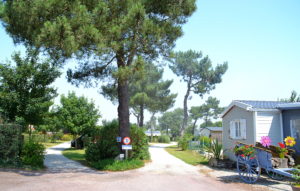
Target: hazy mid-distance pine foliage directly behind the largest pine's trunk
pixel 148 92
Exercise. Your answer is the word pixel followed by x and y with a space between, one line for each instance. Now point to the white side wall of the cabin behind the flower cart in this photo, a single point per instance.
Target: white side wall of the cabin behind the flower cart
pixel 268 124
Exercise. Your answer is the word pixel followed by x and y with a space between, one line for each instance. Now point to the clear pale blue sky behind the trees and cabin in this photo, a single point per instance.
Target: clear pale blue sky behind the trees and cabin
pixel 260 40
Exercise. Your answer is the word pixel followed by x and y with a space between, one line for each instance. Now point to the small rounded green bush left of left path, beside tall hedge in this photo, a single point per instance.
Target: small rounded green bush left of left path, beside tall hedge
pixel 33 154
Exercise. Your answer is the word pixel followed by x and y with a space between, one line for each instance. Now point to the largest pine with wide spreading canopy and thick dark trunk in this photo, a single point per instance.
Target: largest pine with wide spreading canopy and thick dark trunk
pixel 102 34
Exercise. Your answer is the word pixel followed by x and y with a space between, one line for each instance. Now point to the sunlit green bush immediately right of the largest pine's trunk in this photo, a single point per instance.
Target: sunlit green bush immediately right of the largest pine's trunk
pixel 139 143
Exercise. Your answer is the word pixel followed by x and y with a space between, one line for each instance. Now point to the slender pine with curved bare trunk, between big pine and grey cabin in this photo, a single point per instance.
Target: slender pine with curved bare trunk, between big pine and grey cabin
pixel 198 74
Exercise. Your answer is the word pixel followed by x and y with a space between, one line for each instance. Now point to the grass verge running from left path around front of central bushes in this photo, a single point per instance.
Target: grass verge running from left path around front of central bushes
pixel 105 164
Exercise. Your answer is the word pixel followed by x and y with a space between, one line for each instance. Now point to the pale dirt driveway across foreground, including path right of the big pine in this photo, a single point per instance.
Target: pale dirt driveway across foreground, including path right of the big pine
pixel 164 173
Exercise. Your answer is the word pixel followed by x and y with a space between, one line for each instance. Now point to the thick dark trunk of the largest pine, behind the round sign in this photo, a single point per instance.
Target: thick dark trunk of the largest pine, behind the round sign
pixel 123 108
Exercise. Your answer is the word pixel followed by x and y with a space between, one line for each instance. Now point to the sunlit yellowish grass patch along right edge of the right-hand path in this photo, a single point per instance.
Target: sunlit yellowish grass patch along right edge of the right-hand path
pixel 188 156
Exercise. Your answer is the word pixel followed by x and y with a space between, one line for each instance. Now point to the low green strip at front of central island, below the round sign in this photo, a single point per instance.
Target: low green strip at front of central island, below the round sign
pixel 115 165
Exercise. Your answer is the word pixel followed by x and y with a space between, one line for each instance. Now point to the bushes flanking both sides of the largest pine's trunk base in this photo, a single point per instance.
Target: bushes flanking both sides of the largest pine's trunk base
pixel 107 147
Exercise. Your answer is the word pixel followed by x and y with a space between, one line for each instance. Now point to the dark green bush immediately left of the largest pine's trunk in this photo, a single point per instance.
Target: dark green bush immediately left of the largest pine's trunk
pixel 106 146
